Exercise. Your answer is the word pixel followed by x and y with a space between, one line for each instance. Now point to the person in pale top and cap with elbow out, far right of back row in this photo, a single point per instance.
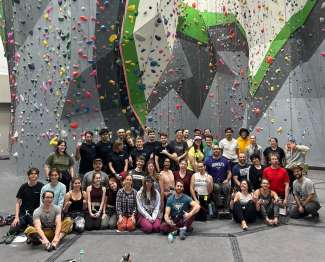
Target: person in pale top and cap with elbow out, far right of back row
pixel 295 154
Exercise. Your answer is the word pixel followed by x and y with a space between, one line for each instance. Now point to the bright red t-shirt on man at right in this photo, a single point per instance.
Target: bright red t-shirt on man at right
pixel 277 178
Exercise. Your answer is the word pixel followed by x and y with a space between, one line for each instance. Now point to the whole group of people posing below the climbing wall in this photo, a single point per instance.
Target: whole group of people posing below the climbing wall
pixel 162 186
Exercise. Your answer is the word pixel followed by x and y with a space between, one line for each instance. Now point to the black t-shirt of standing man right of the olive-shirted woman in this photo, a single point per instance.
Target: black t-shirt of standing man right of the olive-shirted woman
pixel 87 156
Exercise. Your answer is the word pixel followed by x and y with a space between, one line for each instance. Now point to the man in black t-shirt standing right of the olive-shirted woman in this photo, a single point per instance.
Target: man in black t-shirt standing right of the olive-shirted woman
pixel 86 153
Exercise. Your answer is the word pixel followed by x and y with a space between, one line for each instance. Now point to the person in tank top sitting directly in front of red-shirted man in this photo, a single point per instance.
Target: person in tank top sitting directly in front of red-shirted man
pixel 266 203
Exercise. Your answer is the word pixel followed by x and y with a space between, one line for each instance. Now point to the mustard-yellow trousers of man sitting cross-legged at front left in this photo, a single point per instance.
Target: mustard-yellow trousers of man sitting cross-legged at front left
pixel 66 228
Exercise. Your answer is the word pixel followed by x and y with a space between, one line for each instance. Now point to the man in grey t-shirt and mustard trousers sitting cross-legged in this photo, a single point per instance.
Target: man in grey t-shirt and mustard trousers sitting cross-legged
pixel 47 226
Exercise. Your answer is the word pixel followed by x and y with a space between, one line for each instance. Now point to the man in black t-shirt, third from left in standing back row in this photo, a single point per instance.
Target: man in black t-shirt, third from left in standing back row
pixel 104 148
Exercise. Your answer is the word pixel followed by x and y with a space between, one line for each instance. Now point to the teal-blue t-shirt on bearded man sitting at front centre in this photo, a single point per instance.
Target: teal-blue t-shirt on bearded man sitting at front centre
pixel 178 205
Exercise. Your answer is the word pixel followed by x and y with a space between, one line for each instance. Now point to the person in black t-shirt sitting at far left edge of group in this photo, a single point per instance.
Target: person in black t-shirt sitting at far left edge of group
pixel 27 200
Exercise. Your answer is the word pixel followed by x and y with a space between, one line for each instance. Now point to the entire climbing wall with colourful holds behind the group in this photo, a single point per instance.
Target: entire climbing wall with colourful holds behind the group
pixel 85 64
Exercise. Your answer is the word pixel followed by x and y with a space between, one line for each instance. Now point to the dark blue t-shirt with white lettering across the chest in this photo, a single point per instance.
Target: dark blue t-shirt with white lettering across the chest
pixel 217 168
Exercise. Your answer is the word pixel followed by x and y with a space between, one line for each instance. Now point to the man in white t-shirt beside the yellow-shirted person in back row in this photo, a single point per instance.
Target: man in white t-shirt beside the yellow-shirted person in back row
pixel 229 146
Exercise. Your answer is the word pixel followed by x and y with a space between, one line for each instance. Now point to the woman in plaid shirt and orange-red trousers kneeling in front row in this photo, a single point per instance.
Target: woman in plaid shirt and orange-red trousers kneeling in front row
pixel 126 206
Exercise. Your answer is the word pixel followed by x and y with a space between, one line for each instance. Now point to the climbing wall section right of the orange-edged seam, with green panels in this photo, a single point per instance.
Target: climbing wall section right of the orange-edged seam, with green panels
pixel 247 63
